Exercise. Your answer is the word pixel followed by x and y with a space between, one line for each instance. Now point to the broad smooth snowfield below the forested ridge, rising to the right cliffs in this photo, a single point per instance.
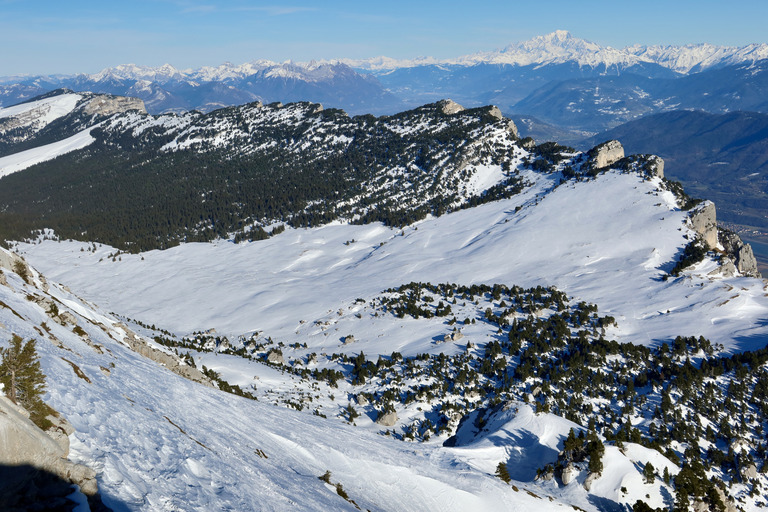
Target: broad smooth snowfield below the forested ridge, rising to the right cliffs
pixel 607 241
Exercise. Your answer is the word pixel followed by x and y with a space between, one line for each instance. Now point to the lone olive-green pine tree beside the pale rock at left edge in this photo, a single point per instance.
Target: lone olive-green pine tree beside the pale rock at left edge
pixel 22 378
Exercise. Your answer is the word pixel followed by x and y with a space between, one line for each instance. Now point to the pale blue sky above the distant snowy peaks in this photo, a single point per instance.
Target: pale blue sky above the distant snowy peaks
pixel 46 37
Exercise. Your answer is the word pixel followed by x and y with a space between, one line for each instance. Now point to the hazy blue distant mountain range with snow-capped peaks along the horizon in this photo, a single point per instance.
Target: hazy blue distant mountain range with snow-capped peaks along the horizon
pixel 557 78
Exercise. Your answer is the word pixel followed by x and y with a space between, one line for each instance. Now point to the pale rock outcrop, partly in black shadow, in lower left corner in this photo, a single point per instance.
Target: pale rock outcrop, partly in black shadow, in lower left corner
pixel 23 444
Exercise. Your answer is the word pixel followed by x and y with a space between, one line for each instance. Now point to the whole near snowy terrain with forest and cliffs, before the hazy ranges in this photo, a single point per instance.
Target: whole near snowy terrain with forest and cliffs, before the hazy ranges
pixel 285 307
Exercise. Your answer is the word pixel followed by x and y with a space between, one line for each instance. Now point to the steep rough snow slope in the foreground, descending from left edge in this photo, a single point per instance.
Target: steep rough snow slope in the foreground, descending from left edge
pixel 159 442
